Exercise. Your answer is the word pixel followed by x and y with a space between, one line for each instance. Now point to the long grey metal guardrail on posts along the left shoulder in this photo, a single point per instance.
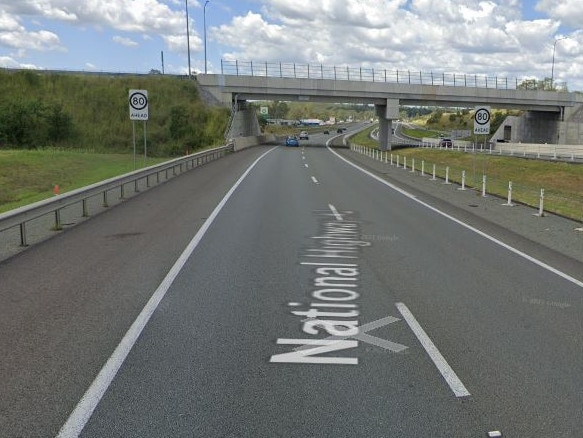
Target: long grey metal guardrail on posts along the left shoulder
pixel 21 216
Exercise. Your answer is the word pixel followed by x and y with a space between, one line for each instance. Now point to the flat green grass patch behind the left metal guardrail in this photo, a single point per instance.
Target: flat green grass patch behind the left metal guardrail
pixel 27 176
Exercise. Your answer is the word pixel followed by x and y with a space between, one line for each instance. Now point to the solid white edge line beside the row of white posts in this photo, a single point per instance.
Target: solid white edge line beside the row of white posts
pixel 463 224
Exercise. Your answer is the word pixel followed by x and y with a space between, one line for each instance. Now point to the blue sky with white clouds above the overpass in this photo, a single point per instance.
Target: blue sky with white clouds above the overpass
pixel 504 38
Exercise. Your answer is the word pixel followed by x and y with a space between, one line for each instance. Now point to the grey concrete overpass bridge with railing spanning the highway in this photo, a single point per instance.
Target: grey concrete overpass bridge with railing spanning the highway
pixel 387 90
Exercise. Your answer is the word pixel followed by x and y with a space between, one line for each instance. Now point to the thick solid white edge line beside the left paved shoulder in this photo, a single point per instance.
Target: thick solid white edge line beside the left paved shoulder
pixel 84 409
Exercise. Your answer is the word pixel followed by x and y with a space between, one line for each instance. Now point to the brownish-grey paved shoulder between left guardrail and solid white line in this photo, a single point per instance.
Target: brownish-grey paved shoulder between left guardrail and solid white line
pixel 66 303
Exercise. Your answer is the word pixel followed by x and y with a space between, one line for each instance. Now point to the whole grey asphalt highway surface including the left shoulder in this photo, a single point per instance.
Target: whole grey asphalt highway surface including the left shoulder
pixel 285 292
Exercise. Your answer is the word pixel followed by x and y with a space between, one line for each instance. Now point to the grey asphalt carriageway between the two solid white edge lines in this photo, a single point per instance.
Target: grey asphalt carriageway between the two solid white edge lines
pixel 305 230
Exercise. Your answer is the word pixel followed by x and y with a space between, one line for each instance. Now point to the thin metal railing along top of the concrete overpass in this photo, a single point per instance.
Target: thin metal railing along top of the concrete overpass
pixel 346 73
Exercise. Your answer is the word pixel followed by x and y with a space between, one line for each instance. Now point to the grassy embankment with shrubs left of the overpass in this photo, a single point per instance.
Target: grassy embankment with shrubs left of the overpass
pixel 91 112
